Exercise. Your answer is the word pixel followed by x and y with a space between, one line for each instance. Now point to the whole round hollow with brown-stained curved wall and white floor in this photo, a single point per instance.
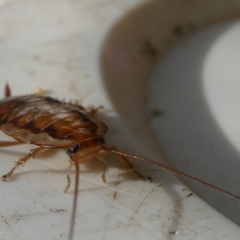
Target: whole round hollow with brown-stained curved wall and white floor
pixel 175 103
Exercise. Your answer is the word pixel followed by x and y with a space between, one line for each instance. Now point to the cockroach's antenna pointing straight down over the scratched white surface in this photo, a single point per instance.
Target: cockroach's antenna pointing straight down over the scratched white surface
pixel 73 215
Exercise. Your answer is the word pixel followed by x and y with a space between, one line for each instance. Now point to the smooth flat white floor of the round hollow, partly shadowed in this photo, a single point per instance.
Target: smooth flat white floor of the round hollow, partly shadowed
pixel 195 91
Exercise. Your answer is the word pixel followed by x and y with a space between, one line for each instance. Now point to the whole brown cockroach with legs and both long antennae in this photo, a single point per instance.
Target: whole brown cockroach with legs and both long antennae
pixel 51 124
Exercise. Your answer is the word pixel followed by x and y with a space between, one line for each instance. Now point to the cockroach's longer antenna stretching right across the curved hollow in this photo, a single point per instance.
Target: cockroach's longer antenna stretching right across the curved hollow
pixel 173 170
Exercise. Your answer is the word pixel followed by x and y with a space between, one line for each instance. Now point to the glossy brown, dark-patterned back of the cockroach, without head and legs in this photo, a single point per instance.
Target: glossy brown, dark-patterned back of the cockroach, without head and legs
pixel 47 122
